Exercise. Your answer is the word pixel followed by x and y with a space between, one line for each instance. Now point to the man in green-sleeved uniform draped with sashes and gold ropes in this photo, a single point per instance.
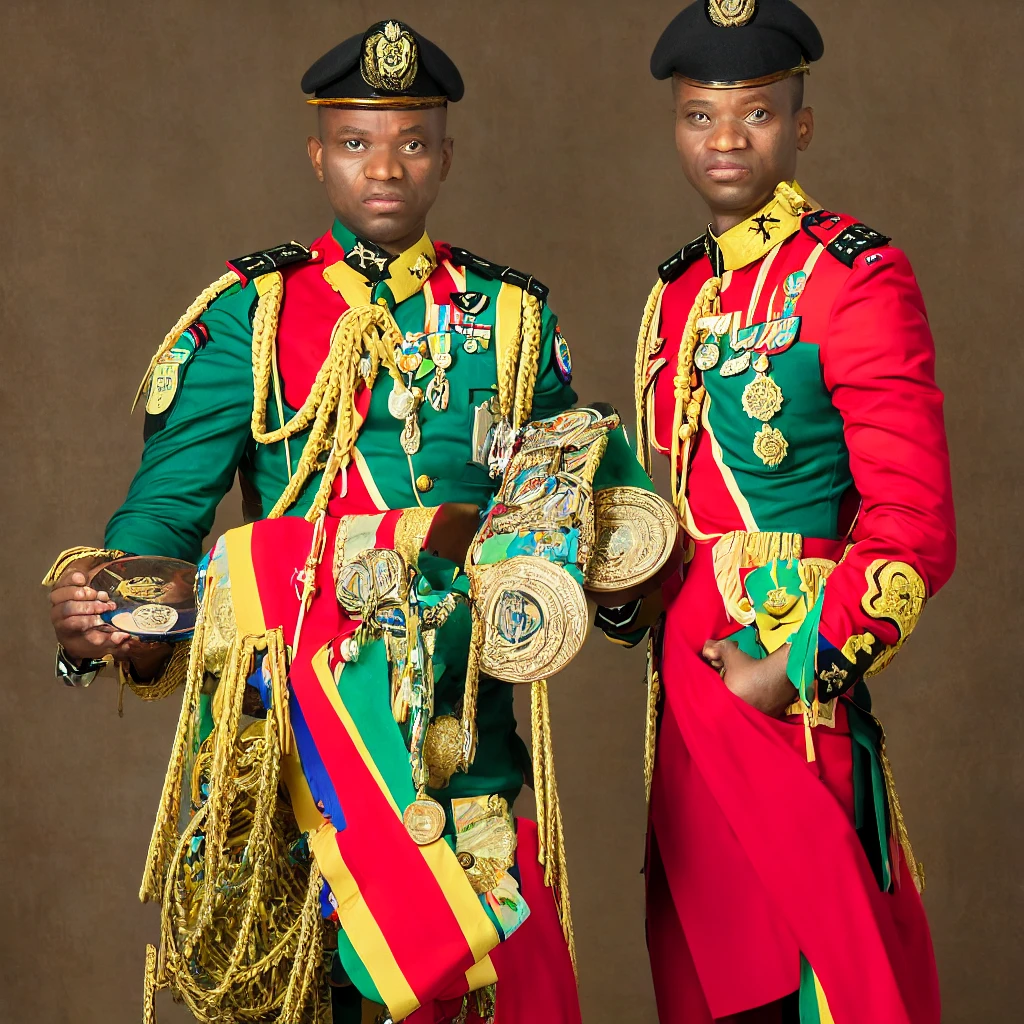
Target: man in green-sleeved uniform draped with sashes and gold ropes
pixel 367 391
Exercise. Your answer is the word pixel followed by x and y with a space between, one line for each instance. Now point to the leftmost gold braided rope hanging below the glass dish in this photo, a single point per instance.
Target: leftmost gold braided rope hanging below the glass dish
pixel 169 809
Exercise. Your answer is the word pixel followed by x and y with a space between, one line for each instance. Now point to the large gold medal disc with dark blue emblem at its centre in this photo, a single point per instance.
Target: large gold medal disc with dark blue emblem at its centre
pixel 535 619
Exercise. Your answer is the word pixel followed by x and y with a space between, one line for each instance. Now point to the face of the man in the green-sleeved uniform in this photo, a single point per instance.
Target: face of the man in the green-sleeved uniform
pixel 382 169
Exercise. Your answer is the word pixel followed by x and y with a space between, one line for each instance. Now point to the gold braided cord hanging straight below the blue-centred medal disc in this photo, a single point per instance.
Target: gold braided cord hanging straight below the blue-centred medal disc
pixel 551 842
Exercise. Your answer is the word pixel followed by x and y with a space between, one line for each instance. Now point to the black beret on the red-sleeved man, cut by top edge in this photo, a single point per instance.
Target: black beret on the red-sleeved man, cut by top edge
pixel 737 42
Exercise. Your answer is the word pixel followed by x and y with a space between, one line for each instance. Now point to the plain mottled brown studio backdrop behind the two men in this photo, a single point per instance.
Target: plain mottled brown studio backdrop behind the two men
pixel 143 145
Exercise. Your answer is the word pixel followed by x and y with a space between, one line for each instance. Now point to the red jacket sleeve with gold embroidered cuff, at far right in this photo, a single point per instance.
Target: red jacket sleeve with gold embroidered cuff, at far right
pixel 879 365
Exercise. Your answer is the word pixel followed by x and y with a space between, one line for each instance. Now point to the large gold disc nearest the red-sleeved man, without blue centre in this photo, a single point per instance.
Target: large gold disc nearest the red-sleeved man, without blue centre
pixel 636 533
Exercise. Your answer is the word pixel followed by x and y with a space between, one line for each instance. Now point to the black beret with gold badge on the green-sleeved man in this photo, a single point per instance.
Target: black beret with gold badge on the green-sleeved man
pixel 390 65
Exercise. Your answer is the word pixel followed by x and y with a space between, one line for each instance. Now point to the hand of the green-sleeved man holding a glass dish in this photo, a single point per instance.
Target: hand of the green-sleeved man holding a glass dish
pixel 75 613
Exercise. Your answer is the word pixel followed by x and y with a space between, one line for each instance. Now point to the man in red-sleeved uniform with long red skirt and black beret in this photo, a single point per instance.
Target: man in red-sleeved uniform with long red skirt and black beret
pixel 787 369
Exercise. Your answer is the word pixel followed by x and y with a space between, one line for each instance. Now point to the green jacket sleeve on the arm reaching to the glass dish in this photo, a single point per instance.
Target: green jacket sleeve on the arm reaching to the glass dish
pixel 194 450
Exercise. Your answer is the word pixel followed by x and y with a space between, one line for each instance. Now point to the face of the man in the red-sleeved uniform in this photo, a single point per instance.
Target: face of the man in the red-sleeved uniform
pixel 738 145
